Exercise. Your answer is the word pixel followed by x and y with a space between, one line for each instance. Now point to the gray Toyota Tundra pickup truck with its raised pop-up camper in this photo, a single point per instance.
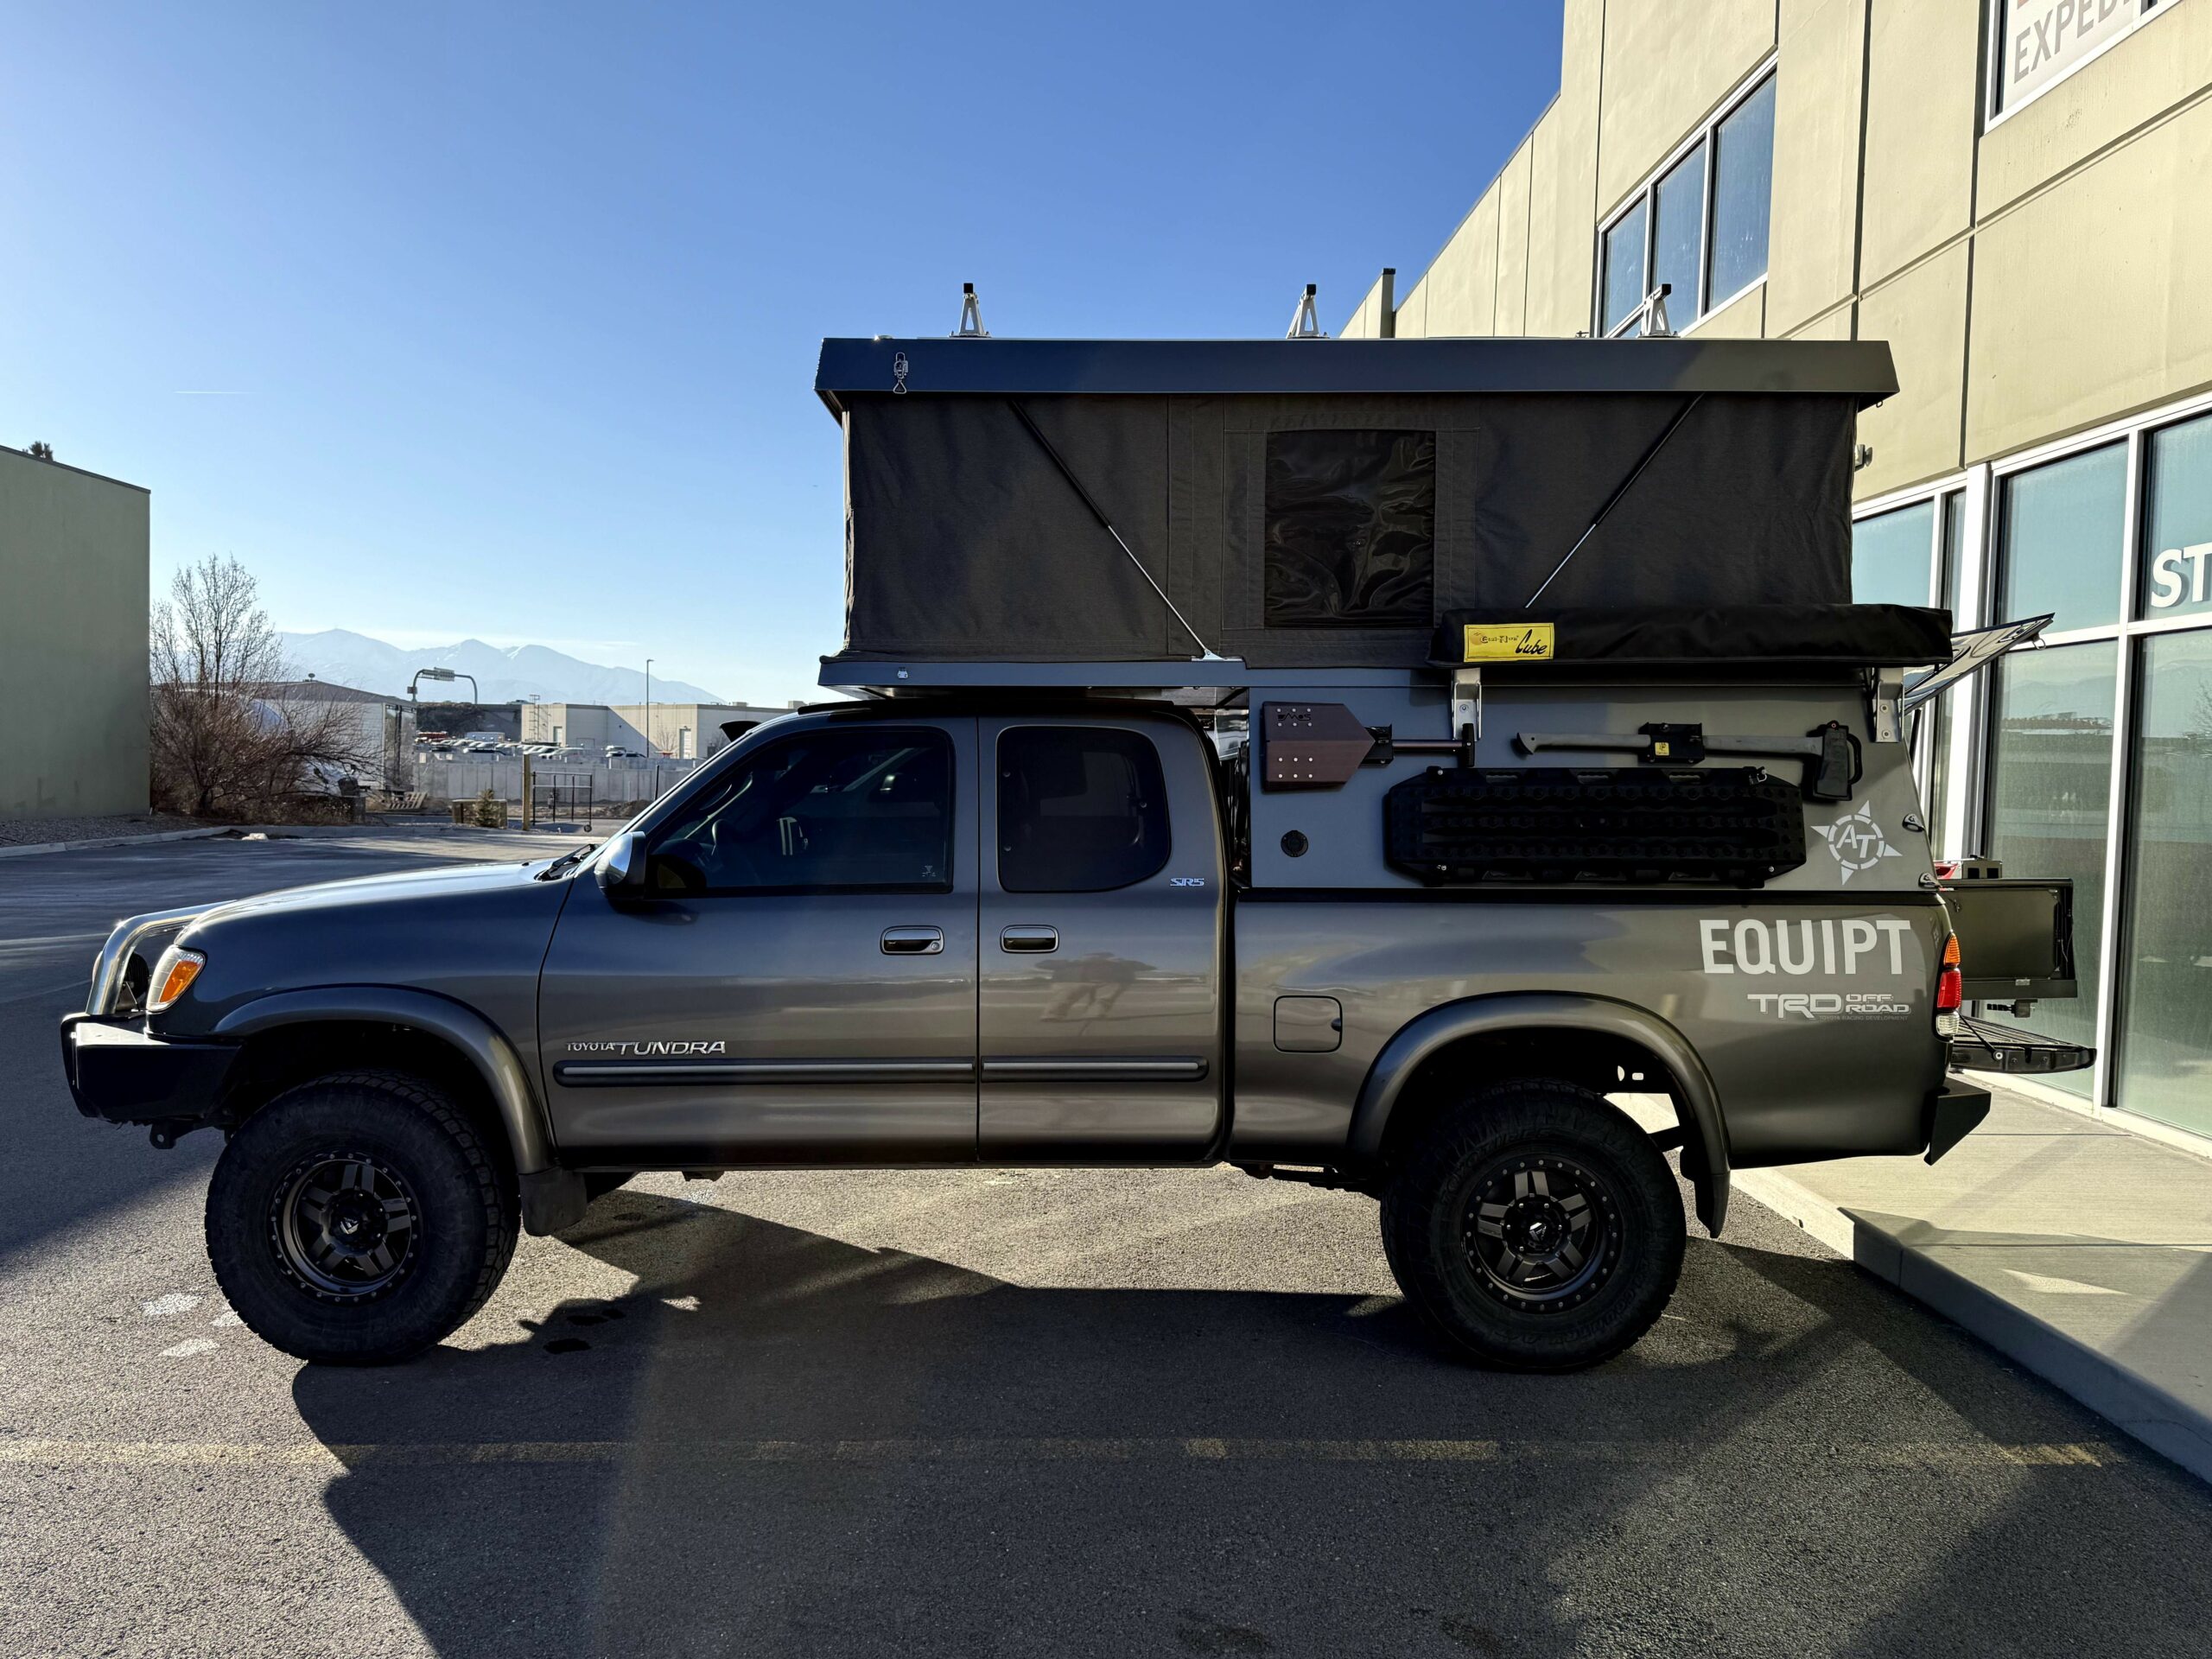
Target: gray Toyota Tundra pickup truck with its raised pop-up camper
pixel 1399 917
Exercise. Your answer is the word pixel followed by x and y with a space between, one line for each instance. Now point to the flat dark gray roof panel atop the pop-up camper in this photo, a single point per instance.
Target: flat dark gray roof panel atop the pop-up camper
pixel 1277 368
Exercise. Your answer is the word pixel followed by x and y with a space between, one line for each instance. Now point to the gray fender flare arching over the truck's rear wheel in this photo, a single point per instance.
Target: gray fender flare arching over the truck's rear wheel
pixel 1448 1023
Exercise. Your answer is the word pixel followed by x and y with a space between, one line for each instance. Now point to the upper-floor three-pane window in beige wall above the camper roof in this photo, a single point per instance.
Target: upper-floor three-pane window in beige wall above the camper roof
pixel 1700 225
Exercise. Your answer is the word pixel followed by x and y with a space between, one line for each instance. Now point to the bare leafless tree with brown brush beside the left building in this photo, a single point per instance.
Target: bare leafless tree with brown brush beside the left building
pixel 227 738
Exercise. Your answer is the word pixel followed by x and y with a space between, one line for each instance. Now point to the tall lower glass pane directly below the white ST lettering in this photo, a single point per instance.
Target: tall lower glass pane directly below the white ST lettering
pixel 2164 1027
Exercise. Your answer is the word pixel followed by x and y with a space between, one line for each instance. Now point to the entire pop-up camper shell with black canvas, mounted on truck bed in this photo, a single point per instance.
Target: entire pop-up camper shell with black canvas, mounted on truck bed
pixel 1465 614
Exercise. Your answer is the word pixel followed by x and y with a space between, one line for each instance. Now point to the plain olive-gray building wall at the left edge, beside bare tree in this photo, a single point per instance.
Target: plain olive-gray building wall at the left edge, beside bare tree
pixel 72 640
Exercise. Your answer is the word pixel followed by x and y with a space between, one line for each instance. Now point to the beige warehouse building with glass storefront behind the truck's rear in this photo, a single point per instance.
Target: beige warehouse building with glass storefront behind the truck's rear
pixel 2014 196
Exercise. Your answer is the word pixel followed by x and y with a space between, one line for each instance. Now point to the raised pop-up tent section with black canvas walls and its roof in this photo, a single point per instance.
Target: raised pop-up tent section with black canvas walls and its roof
pixel 1328 501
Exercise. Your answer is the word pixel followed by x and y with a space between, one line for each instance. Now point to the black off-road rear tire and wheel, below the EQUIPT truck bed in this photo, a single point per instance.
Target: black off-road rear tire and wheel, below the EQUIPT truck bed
pixel 1492 1162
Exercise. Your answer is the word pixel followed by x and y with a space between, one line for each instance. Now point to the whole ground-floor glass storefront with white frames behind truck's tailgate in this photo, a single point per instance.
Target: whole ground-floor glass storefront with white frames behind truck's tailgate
pixel 2091 755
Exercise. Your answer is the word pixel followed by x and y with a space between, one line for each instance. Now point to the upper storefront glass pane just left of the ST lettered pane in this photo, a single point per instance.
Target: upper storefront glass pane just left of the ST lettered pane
pixel 2060 541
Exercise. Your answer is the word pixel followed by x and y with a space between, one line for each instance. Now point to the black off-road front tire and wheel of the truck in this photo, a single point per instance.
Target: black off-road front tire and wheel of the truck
pixel 426 1165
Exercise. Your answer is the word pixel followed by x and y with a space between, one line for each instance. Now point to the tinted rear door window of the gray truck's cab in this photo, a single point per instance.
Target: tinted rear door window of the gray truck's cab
pixel 1081 811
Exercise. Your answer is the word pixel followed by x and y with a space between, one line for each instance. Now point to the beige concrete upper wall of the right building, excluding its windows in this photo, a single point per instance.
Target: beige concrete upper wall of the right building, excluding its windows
pixel 2034 280
